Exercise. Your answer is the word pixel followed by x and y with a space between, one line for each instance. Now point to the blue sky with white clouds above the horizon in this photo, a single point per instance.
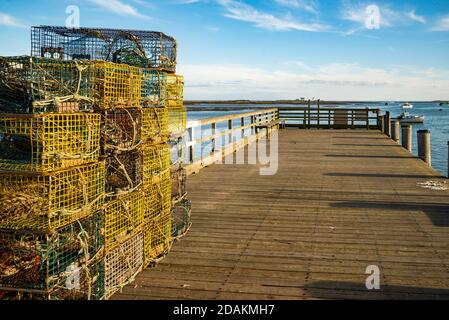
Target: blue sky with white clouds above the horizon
pixel 272 49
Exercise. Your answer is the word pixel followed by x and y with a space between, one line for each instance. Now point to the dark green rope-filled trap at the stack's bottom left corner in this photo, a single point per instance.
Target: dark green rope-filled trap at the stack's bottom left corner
pixel 48 261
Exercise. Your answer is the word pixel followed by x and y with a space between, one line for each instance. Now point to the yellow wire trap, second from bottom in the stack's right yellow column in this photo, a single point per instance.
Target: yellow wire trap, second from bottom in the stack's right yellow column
pixel 158 196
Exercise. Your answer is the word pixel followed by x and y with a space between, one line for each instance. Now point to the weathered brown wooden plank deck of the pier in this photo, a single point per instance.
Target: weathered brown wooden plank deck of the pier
pixel 341 200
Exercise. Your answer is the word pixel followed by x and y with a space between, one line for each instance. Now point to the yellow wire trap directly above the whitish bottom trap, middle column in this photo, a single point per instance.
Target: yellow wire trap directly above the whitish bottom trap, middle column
pixel 122 217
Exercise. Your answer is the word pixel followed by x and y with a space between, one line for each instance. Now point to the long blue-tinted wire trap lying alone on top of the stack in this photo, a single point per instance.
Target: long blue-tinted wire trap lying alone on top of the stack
pixel 146 49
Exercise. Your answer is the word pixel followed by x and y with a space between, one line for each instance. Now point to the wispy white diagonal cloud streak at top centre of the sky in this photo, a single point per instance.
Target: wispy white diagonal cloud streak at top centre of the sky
pixel 240 11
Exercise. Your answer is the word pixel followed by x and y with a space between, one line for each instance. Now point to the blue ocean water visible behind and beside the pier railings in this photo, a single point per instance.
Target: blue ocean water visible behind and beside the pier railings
pixel 436 120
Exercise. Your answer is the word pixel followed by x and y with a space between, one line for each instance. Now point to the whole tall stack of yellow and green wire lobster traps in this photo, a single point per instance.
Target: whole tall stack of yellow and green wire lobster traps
pixel 92 183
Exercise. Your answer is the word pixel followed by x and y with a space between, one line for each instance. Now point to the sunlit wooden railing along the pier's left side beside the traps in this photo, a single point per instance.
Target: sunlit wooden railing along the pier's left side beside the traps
pixel 212 139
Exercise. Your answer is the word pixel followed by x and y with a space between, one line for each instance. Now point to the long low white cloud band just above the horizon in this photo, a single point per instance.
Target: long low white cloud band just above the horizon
pixel 332 82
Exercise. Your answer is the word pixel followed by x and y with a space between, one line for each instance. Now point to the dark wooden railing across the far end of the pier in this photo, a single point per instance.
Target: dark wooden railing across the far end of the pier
pixel 330 118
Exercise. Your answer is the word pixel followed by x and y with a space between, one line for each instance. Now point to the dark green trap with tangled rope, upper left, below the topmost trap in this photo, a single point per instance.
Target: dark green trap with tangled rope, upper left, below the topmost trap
pixel 35 85
